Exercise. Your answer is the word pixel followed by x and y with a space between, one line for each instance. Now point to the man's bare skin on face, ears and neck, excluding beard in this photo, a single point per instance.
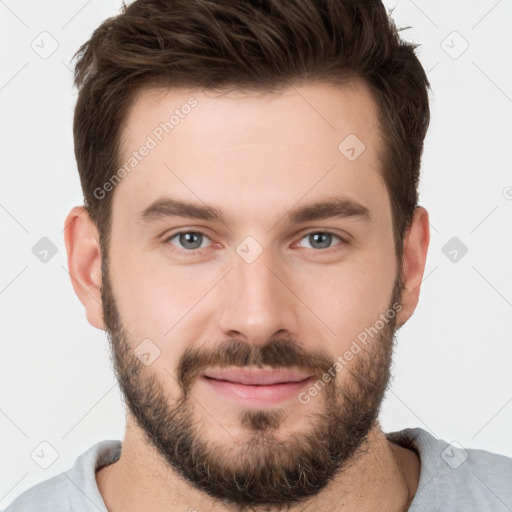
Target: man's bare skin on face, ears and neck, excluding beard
pixel 254 157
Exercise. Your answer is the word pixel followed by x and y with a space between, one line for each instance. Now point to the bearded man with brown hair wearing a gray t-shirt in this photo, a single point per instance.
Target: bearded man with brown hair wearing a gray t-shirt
pixel 251 241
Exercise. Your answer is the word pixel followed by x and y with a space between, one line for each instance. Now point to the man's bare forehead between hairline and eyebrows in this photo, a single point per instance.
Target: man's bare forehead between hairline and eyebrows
pixel 251 153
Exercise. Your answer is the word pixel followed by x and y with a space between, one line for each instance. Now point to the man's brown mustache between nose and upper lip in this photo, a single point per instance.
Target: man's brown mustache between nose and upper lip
pixel 283 353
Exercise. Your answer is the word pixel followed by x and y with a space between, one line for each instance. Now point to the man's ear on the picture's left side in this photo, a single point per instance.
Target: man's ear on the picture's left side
pixel 84 262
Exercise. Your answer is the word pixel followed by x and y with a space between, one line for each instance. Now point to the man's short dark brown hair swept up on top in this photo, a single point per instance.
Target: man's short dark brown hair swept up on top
pixel 250 45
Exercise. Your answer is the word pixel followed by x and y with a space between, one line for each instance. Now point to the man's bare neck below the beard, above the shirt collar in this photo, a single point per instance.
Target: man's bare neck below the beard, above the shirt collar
pixel 382 476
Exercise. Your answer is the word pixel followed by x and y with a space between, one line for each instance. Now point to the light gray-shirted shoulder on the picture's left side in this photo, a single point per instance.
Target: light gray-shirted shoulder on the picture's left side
pixel 72 490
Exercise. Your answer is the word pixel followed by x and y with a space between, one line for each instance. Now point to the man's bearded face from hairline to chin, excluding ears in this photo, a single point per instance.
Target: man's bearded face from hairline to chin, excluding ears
pixel 259 288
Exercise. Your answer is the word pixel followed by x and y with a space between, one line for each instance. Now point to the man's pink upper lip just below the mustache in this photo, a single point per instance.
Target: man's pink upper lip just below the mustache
pixel 256 377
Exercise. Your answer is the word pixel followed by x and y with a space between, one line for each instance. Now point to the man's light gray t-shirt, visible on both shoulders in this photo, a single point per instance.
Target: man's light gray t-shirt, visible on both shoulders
pixel 451 479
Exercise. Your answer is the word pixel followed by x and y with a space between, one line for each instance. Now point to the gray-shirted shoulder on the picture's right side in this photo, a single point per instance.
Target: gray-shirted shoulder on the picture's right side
pixel 454 476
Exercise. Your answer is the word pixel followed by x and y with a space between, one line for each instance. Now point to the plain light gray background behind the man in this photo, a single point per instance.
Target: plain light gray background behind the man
pixel 452 368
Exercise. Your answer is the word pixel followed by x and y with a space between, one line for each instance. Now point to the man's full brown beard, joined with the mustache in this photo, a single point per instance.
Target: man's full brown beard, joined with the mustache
pixel 265 470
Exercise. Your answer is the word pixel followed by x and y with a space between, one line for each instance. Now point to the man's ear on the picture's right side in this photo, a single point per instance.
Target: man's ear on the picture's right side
pixel 416 241
